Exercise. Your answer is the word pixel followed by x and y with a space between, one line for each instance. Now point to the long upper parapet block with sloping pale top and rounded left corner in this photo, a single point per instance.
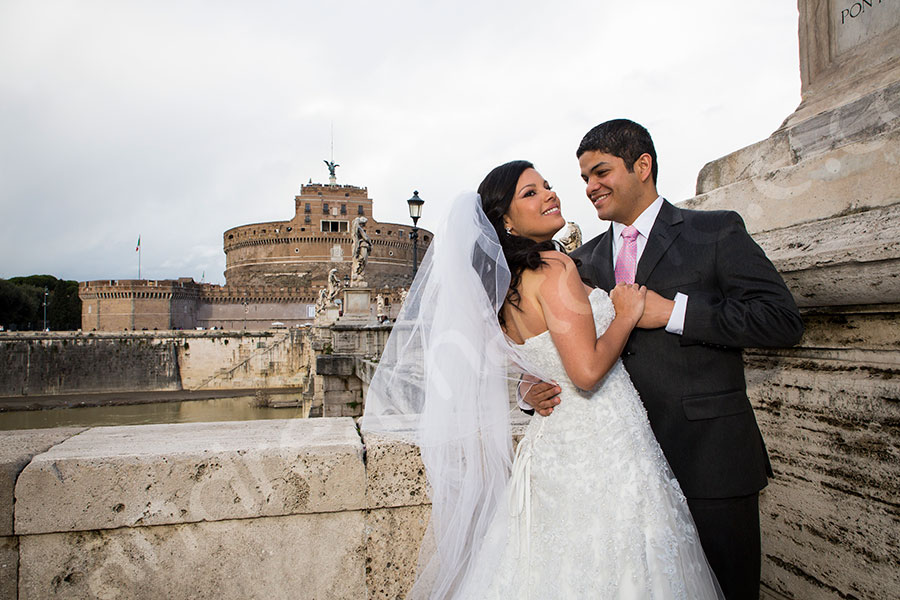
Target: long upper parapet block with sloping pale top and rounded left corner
pixel 161 474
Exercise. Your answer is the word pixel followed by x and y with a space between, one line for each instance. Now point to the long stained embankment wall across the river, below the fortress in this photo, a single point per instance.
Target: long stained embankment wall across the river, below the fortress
pixel 48 363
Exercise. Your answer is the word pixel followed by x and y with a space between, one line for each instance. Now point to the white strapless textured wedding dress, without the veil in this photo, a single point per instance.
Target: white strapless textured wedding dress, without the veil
pixel 592 510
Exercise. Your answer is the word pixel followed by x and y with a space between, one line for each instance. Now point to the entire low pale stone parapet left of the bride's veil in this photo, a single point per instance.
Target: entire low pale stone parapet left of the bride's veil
pixel 265 509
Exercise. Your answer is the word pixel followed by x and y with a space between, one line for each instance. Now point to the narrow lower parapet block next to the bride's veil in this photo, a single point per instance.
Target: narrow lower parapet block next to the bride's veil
pixel 392 549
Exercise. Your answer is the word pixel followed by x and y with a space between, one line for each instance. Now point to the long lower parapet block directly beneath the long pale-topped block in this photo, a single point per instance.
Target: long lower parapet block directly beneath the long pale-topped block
pixel 299 556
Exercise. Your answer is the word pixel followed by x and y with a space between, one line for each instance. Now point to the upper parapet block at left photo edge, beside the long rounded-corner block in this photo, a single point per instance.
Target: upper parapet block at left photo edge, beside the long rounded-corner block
pixel 17 448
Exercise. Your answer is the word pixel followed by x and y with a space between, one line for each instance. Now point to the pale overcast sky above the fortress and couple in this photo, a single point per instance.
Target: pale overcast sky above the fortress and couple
pixel 178 120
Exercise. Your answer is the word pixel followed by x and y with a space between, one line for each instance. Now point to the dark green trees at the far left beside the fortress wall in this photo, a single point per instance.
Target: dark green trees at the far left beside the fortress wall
pixel 22 303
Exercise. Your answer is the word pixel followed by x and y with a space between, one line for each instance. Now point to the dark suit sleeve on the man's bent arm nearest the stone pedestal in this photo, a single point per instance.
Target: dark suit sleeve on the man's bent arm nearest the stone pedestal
pixel 750 306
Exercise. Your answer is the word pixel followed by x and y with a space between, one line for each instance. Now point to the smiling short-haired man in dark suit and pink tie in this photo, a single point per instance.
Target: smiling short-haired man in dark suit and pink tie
pixel 712 292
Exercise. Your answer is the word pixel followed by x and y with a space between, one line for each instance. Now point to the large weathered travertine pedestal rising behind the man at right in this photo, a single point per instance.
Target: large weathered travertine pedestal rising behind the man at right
pixel 821 196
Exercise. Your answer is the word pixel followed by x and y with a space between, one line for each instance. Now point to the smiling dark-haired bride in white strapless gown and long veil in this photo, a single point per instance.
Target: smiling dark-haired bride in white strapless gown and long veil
pixel 588 508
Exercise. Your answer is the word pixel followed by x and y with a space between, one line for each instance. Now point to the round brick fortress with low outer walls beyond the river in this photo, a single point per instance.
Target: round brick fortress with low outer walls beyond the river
pixel 273 271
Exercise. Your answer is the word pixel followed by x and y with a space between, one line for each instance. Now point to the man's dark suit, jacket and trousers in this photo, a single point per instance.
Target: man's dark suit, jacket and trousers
pixel 693 384
